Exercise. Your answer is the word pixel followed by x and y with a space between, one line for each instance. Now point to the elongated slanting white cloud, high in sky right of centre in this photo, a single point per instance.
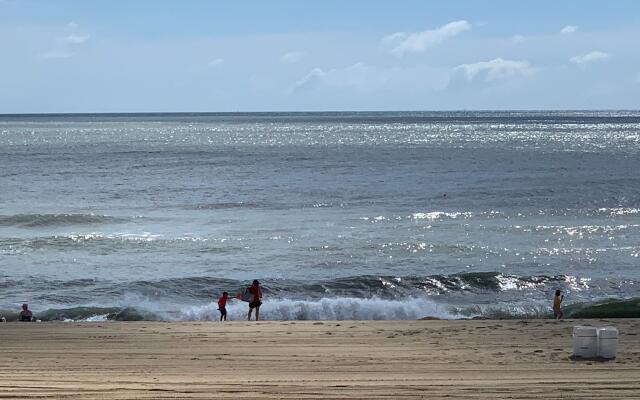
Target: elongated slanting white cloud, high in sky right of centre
pixel 401 43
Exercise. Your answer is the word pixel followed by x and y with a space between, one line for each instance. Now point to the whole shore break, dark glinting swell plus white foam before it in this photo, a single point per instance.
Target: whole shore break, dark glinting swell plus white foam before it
pixel 464 295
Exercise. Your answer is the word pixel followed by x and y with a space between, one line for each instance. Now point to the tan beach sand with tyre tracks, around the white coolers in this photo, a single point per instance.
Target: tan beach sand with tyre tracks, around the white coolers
pixel 329 359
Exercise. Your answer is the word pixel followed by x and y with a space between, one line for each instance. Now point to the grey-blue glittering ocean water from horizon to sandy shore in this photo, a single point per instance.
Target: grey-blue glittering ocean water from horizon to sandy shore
pixel 340 215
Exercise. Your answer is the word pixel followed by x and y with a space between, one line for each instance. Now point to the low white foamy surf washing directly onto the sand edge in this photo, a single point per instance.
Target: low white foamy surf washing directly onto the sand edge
pixel 344 308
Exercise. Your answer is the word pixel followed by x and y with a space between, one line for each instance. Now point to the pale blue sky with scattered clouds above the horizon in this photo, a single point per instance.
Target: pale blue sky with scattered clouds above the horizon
pixel 329 55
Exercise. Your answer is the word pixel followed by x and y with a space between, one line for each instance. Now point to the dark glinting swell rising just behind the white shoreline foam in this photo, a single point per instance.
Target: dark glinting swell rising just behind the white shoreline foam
pixel 200 288
